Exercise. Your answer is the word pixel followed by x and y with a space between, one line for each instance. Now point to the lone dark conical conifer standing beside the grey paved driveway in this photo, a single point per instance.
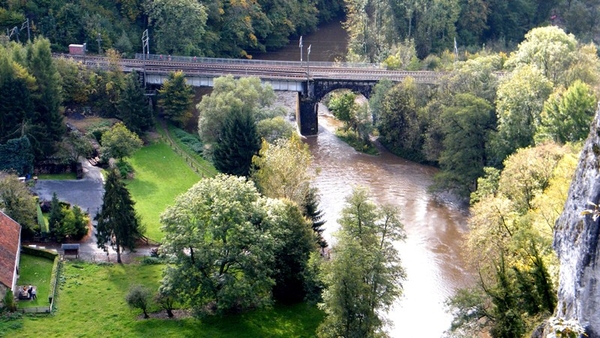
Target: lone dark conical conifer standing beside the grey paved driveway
pixel 118 223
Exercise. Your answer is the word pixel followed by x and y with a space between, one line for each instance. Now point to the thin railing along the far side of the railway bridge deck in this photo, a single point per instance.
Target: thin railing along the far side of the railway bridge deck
pixel 193 59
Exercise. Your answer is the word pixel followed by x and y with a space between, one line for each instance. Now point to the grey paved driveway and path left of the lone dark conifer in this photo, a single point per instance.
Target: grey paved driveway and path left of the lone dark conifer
pixel 87 194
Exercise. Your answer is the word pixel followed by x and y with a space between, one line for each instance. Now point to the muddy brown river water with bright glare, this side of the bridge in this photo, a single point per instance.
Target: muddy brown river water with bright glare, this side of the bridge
pixel 431 252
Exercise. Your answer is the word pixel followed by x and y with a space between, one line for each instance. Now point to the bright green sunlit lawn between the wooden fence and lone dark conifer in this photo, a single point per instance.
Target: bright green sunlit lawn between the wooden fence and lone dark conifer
pixel 160 176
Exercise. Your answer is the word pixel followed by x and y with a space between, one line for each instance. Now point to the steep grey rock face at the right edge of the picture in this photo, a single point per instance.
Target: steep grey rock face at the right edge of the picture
pixel 576 241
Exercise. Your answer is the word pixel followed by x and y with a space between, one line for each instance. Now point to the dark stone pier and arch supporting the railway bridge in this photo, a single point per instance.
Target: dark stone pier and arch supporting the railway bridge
pixel 313 92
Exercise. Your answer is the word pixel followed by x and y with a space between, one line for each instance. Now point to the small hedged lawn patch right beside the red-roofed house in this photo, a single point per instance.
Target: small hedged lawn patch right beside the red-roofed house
pixel 35 271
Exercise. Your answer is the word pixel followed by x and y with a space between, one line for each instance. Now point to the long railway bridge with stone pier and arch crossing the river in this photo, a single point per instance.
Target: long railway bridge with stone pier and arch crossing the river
pixel 311 80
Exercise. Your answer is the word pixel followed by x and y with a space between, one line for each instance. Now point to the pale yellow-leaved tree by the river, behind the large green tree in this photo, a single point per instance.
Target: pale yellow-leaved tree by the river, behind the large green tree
pixel 282 169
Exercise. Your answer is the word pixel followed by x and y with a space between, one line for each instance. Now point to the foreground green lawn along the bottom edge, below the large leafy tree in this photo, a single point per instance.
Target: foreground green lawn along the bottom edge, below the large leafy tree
pixel 91 304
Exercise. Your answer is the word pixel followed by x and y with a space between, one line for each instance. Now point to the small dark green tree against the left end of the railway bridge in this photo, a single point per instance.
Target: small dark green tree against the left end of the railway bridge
pixel 176 98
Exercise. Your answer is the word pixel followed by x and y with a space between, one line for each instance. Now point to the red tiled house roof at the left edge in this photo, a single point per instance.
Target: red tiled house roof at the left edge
pixel 9 246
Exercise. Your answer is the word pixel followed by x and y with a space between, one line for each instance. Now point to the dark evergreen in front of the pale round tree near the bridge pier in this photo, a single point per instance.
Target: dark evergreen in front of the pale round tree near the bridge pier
pixel 238 143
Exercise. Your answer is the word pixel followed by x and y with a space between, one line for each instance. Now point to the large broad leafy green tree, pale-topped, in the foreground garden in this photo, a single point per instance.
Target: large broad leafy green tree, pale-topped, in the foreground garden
pixel 218 232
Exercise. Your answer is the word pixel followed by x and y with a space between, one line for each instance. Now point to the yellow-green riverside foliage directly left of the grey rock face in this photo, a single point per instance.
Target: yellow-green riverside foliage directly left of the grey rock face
pixel 512 222
